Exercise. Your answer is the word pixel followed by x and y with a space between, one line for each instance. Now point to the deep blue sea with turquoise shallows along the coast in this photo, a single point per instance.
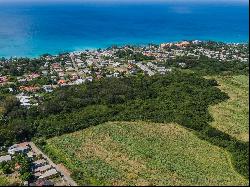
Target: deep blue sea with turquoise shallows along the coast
pixel 32 29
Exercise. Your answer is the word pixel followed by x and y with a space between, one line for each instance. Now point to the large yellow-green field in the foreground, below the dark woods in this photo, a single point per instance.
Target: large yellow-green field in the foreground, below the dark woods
pixel 139 153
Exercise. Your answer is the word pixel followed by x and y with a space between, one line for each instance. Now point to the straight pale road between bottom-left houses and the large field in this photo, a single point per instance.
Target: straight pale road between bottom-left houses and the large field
pixel 66 177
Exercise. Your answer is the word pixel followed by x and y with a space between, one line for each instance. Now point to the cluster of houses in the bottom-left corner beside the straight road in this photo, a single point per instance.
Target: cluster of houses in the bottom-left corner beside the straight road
pixel 44 172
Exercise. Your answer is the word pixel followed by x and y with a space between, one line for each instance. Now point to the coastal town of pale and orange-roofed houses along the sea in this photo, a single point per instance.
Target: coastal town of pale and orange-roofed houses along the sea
pixel 30 79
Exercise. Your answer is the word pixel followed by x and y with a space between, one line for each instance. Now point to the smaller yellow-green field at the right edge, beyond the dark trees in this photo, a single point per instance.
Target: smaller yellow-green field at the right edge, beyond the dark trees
pixel 232 116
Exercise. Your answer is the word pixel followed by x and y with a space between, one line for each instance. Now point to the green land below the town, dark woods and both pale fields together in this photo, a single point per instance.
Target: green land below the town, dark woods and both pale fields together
pixel 209 146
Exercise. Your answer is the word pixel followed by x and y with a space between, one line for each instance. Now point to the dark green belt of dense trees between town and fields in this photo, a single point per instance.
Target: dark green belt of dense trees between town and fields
pixel 177 97
